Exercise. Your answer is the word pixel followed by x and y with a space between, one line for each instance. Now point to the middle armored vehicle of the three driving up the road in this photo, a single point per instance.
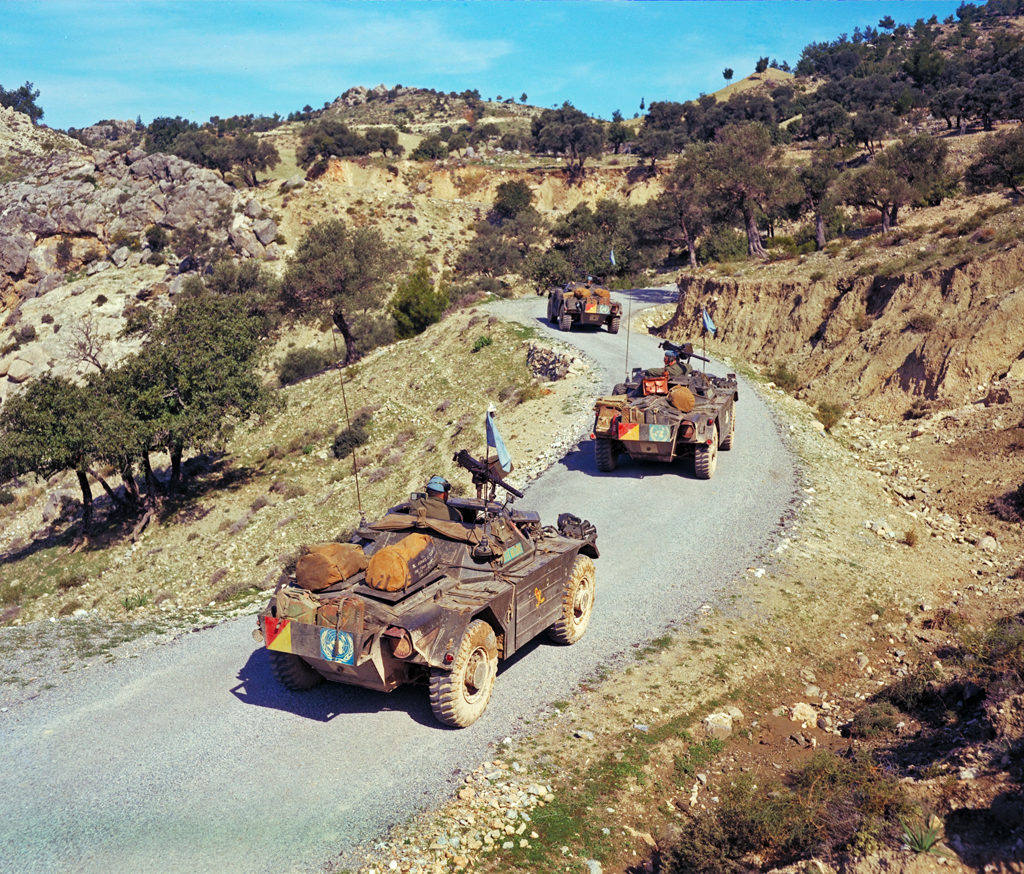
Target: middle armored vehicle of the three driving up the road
pixel 661 418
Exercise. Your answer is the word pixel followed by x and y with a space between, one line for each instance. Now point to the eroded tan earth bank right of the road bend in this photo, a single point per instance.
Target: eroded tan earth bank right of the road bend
pixel 880 343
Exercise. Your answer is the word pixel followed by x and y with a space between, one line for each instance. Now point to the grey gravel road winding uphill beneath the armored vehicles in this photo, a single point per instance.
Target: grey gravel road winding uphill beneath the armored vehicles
pixel 191 758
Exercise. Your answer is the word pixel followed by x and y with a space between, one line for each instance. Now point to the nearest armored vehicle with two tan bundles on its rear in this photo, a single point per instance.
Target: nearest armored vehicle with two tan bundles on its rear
pixel 419 600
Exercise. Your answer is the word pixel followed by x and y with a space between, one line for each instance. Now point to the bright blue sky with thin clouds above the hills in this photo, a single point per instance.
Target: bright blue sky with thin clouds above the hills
pixel 98 60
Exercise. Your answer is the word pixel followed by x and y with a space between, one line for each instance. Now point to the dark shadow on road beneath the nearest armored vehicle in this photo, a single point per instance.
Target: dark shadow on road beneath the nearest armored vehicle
pixel 259 687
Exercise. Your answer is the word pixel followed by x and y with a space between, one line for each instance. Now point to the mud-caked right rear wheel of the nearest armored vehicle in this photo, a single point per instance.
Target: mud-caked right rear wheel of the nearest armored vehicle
pixel 458 697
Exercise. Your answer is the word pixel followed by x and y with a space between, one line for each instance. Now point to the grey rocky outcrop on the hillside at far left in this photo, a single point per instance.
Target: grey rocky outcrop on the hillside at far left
pixel 86 210
